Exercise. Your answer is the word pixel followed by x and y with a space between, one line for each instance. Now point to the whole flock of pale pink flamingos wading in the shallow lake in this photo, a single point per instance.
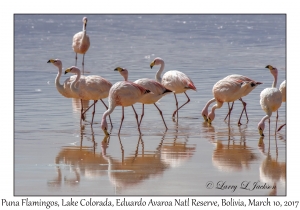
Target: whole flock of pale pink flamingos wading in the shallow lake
pixel 149 91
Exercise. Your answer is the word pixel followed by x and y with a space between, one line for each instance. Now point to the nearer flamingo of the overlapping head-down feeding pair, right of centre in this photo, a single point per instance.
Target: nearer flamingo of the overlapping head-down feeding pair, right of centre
pixel 229 90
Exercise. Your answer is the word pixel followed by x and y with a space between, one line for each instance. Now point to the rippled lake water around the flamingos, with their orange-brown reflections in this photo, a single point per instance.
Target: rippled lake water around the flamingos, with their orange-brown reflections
pixel 53 155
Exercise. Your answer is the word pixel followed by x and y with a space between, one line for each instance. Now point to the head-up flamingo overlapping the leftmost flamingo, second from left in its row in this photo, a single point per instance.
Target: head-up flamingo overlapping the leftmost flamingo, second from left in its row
pixel 91 87
